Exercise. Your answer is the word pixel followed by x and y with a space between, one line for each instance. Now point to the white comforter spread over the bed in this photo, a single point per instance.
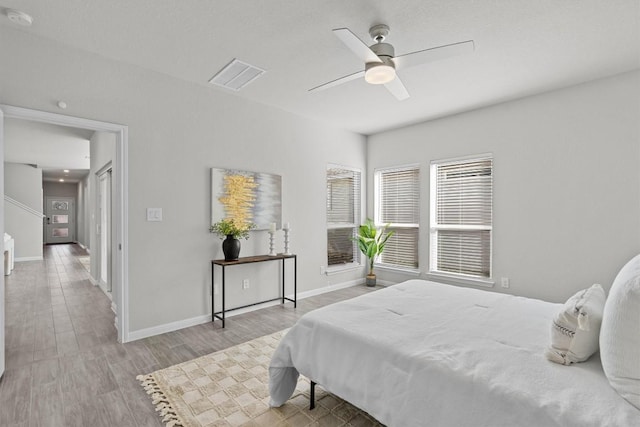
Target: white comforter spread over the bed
pixel 422 353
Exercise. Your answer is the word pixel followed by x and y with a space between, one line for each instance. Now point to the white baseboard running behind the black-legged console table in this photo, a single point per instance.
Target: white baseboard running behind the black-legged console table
pixel 206 318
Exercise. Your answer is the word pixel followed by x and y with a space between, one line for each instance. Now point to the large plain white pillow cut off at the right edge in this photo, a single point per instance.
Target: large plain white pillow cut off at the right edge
pixel 620 334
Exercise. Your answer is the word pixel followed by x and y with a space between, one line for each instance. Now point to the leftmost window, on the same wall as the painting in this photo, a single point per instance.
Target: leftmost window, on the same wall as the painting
pixel 343 215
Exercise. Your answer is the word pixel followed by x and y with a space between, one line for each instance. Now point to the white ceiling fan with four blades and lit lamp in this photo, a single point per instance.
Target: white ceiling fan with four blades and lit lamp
pixel 381 63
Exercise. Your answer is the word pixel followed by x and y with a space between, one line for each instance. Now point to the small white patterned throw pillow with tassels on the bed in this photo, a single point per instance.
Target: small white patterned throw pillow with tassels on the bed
pixel 576 329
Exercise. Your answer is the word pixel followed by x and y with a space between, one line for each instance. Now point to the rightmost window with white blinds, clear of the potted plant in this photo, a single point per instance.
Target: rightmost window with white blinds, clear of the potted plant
pixel 461 217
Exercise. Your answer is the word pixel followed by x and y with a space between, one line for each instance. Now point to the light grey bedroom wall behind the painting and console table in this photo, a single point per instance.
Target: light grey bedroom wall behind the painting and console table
pixel 177 132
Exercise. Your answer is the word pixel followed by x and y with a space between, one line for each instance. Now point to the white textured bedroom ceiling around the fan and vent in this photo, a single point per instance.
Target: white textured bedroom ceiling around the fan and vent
pixel 523 47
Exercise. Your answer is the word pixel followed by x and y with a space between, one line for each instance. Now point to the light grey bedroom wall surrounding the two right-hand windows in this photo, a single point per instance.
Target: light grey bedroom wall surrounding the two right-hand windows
pixel 566 182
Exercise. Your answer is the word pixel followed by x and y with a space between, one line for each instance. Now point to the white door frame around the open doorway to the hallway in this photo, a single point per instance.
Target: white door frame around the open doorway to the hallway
pixel 120 208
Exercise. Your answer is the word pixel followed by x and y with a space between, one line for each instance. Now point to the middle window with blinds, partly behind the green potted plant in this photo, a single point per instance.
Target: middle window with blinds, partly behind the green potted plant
pixel 397 199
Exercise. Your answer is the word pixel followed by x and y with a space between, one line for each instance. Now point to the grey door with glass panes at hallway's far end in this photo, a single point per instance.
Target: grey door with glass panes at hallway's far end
pixel 60 220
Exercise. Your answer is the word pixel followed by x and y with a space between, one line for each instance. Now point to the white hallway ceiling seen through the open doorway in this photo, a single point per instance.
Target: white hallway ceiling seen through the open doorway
pixel 50 147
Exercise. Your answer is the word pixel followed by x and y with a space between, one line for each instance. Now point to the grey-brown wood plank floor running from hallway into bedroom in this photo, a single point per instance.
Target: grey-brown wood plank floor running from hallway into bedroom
pixel 64 366
